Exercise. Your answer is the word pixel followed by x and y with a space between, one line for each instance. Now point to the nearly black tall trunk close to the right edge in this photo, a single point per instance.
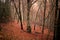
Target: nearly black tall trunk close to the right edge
pixel 56 21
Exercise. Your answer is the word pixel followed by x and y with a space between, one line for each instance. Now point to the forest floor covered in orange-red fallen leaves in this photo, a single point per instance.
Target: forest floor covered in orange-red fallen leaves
pixel 12 31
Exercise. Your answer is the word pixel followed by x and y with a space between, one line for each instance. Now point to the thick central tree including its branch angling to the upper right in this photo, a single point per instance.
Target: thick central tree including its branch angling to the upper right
pixel 29 4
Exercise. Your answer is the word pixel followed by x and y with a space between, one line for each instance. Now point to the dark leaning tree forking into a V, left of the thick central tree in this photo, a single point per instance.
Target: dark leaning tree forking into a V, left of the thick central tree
pixel 18 12
